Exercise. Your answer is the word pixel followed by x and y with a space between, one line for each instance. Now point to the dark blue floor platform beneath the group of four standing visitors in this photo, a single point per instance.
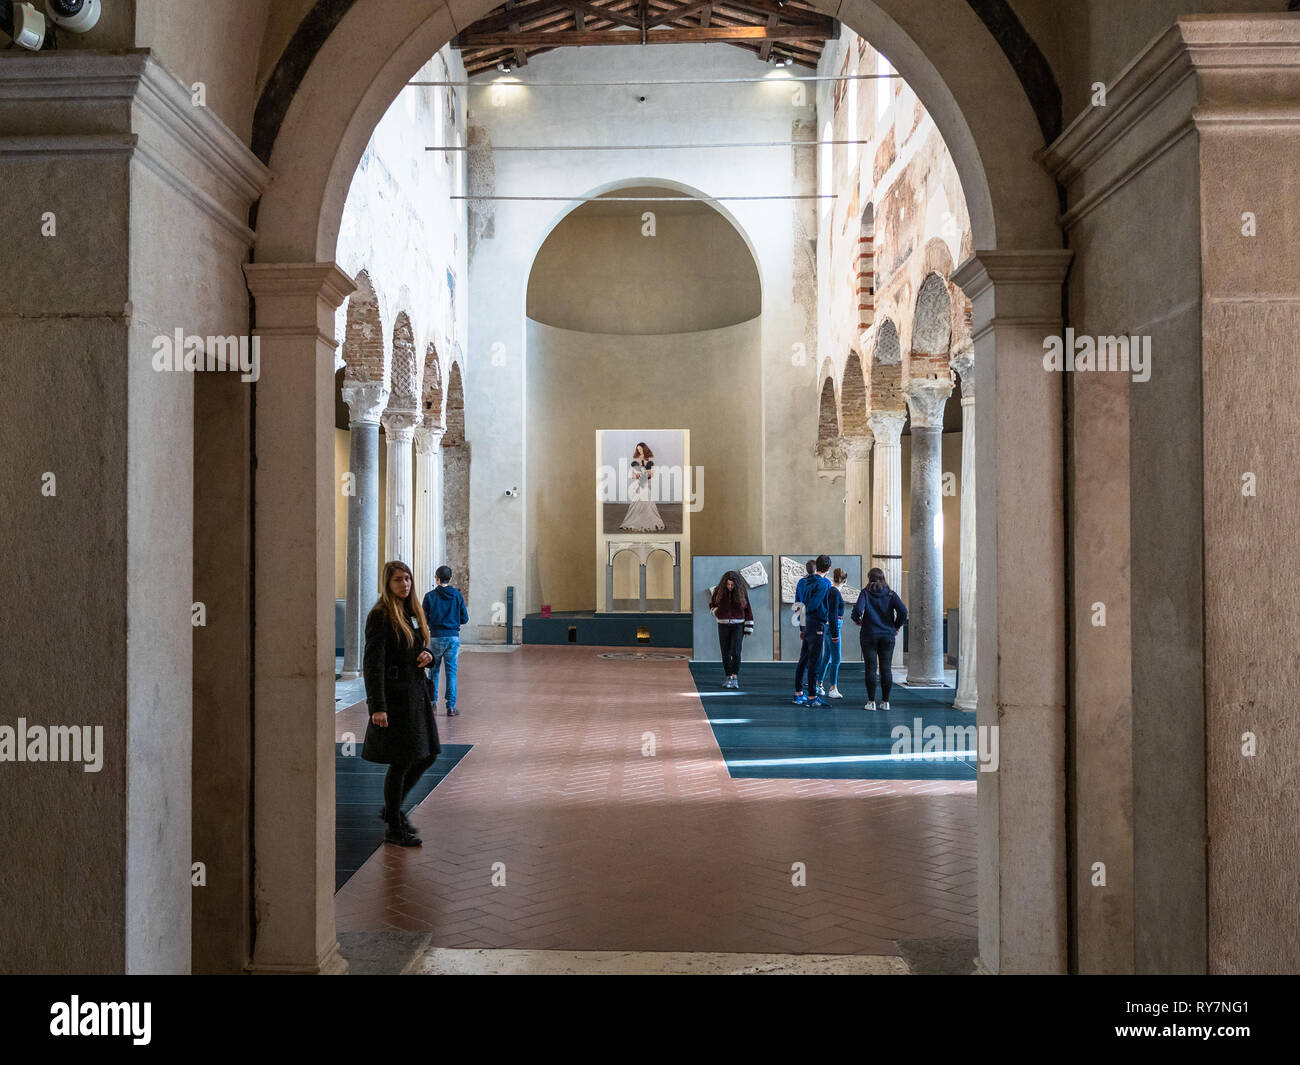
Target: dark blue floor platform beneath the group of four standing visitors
pixel 761 734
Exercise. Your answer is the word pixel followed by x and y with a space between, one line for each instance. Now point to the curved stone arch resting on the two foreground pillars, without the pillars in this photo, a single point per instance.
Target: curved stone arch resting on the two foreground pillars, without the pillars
pixel 946 51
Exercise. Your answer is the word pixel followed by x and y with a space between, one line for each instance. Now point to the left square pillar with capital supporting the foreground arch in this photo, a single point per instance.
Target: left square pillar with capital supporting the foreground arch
pixel 294 604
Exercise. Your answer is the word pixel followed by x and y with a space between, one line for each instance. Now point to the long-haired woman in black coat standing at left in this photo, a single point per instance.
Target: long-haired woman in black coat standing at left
pixel 402 733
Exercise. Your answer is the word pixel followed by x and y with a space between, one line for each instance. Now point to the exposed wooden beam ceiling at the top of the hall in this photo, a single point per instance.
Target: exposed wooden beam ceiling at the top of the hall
pixel 770 29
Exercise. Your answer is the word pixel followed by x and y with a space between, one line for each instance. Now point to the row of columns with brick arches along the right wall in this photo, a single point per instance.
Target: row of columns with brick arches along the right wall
pixel 941 347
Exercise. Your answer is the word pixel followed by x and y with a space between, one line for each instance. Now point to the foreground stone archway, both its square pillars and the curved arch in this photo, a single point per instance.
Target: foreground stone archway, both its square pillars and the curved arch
pixel 993 129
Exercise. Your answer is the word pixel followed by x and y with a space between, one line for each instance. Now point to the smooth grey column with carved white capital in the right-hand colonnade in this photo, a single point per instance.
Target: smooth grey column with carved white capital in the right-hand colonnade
pixel 926 400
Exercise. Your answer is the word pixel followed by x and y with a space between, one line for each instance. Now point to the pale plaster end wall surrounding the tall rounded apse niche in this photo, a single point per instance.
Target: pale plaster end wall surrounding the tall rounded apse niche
pixel 505 237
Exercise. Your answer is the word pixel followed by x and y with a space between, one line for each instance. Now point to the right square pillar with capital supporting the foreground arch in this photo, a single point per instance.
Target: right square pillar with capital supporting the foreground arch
pixel 1021 568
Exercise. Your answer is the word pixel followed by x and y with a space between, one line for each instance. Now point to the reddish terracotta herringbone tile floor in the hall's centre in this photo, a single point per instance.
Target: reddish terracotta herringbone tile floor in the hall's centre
pixel 605 848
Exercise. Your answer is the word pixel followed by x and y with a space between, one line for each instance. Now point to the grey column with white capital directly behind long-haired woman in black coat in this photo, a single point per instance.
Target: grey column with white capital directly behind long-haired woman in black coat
pixel 366 402
